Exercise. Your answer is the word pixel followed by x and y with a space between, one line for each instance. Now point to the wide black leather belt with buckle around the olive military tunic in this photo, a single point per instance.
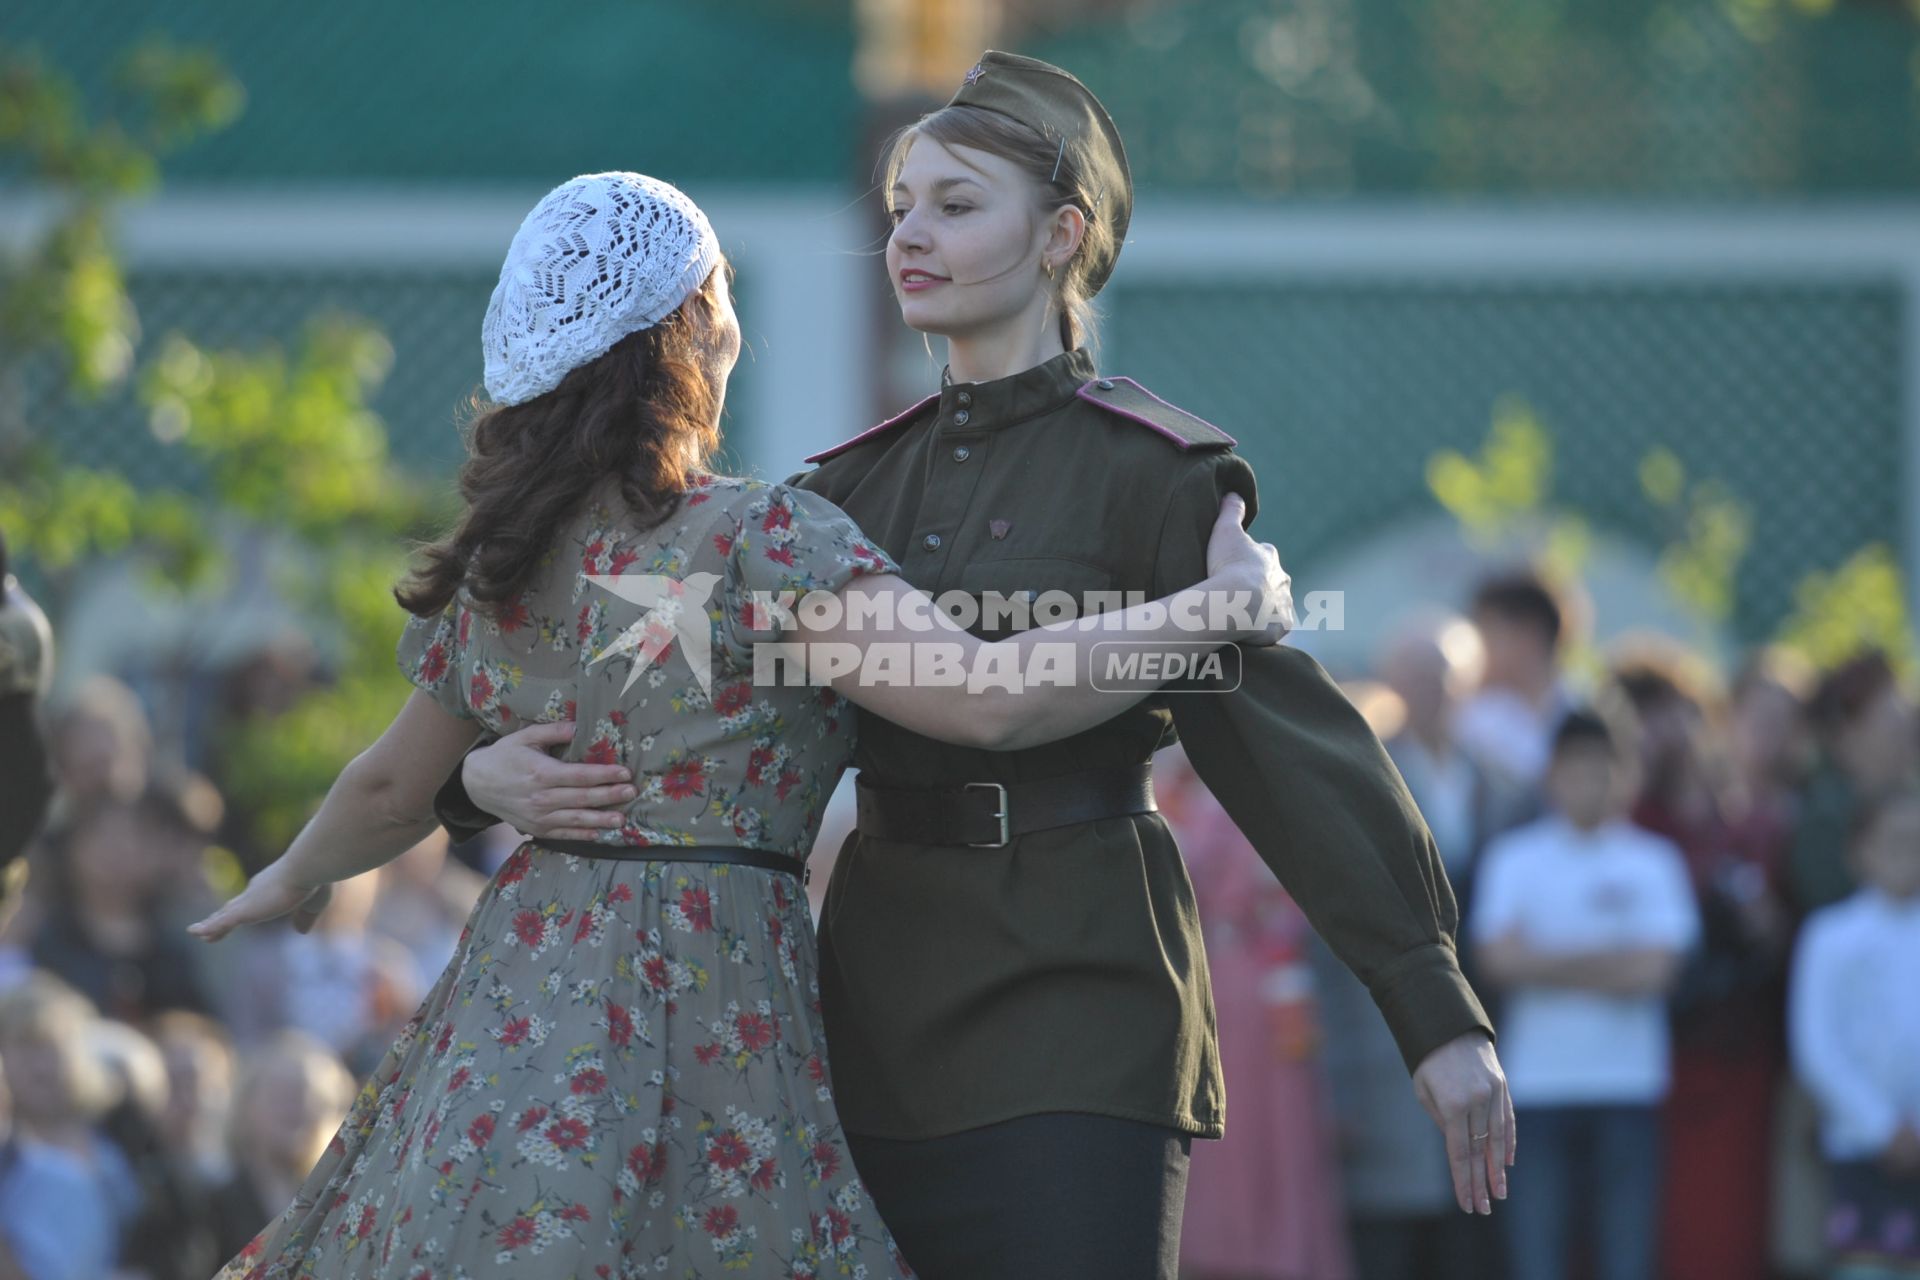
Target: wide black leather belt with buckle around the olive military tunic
pixel 992 815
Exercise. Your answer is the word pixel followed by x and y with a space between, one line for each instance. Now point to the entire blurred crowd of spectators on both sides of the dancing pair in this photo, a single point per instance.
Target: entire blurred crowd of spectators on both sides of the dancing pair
pixel 1689 897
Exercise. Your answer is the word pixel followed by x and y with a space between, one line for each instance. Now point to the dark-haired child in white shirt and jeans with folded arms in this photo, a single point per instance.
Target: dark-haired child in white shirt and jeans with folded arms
pixel 1583 920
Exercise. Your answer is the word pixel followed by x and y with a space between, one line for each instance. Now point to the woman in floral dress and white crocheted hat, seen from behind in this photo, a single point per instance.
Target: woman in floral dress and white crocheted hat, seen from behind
pixel 623 1070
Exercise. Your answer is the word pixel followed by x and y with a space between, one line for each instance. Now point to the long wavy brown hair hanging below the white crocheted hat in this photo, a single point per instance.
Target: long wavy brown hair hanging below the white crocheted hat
pixel 646 412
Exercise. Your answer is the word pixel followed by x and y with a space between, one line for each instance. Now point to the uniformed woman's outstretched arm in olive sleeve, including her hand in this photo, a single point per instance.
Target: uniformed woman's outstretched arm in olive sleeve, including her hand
pixel 1312 788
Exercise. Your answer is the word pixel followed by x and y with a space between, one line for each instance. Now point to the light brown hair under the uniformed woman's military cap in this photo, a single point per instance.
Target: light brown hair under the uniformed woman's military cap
pixel 1055 170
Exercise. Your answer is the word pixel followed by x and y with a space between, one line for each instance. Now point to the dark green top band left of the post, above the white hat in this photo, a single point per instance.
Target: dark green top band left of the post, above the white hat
pixel 492 91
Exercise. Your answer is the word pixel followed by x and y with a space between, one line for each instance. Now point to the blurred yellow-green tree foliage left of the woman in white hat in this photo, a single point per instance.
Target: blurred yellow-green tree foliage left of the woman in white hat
pixel 285 440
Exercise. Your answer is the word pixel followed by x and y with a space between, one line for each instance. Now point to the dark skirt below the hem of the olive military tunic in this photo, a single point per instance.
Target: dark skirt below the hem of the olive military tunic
pixel 1036 1198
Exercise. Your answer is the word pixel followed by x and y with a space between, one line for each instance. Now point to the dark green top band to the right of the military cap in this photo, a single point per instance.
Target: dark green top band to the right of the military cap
pixel 1510 97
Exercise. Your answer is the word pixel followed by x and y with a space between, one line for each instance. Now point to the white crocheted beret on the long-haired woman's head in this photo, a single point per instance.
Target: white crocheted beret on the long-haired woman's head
pixel 600 258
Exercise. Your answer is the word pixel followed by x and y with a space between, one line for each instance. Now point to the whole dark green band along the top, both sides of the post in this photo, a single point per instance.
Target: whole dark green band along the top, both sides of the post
pixel 1264 97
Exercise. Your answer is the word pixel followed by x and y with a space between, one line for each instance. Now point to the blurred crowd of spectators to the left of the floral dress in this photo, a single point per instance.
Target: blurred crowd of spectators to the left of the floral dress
pixel 162 1099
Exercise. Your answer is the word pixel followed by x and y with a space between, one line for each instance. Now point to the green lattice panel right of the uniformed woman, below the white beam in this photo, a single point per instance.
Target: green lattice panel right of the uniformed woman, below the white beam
pixel 1787 394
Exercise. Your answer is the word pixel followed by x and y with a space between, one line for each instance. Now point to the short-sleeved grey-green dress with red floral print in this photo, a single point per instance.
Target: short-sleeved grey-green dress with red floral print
pixel 623 1072
